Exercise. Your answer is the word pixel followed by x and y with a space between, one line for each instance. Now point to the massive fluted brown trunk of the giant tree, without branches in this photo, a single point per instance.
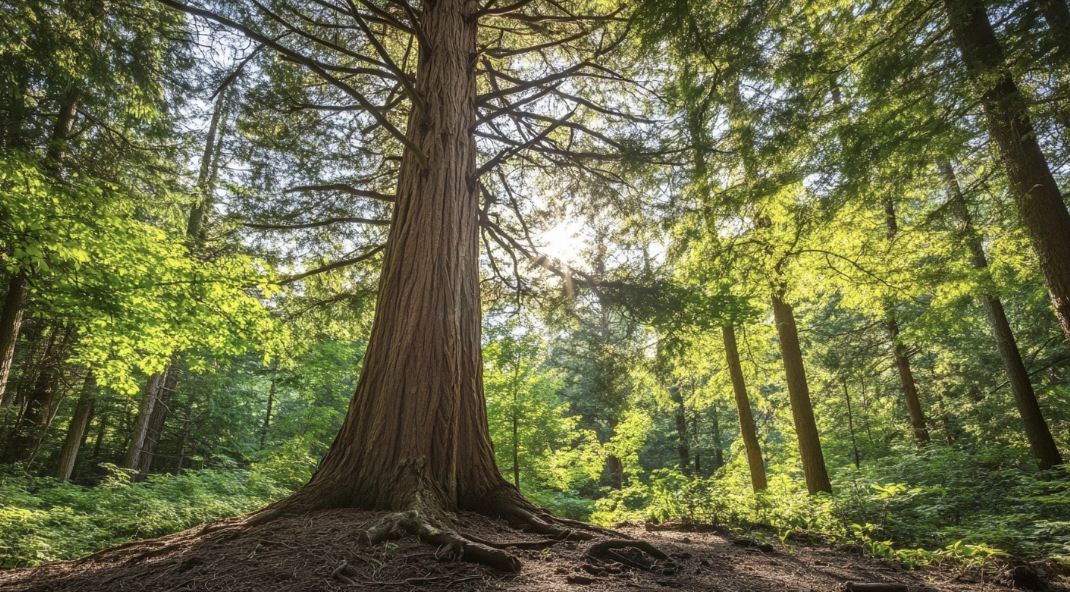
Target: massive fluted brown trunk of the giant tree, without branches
pixel 416 434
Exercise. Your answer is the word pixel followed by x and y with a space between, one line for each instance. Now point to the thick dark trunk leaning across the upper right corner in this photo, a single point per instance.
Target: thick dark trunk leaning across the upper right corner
pixel 1037 196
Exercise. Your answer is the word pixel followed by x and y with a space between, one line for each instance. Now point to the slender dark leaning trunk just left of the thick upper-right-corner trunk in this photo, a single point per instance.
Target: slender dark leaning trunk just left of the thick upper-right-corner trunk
pixel 1037 432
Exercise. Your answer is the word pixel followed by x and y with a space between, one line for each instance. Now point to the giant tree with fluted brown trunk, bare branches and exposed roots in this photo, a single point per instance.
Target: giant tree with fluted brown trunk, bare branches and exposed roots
pixel 416 438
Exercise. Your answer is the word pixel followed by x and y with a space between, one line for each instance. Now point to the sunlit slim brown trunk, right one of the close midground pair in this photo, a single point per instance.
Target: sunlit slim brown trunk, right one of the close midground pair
pixel 799 394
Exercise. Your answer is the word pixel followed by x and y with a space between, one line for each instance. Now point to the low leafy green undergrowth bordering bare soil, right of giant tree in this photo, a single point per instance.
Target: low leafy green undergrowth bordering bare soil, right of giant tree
pixel 937 506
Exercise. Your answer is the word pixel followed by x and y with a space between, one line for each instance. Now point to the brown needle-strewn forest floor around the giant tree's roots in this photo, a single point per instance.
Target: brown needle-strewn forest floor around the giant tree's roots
pixel 323 553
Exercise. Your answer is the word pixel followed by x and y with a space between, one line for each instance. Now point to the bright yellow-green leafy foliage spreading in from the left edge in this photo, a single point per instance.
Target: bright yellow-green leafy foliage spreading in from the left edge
pixel 135 295
